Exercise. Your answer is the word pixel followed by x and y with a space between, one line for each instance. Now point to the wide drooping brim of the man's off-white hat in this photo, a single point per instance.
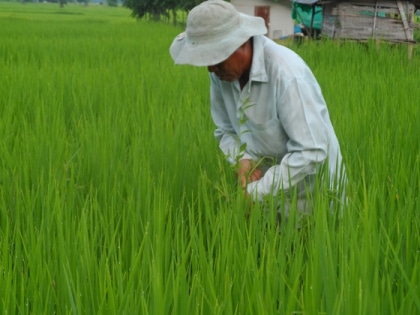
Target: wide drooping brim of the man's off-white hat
pixel 212 53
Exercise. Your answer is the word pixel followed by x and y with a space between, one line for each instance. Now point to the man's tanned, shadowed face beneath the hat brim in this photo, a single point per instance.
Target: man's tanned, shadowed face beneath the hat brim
pixel 233 67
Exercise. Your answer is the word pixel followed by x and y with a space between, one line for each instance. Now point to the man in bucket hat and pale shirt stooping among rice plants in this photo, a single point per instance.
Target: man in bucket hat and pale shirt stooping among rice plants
pixel 270 115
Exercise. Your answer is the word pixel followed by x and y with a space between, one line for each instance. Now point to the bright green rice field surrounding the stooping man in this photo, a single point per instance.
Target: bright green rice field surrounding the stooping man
pixel 115 199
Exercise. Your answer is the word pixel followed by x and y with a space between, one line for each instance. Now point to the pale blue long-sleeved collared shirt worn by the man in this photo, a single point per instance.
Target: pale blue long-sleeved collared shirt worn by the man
pixel 279 119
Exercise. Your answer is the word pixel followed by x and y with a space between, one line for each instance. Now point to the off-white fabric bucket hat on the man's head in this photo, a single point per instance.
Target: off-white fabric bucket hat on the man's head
pixel 215 29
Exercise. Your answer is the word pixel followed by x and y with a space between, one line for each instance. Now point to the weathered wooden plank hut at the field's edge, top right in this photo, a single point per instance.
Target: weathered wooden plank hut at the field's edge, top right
pixel 369 19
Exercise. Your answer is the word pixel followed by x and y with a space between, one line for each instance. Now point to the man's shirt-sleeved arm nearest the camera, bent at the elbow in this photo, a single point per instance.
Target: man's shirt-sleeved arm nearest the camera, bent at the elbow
pixel 301 109
